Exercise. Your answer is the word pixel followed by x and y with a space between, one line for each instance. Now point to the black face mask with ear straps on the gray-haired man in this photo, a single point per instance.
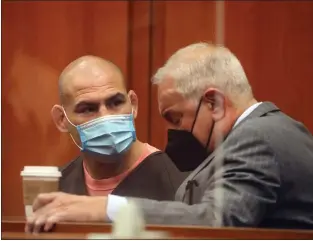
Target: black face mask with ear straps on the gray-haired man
pixel 184 149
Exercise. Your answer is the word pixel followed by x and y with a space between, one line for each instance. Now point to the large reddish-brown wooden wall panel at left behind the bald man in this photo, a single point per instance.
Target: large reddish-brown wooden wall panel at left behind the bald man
pixel 39 40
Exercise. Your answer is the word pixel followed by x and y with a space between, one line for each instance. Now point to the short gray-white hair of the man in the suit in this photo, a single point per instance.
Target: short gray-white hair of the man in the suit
pixel 199 66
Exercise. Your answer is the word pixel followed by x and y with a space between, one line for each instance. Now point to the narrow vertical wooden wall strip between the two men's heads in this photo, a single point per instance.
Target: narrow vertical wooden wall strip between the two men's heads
pixel 139 62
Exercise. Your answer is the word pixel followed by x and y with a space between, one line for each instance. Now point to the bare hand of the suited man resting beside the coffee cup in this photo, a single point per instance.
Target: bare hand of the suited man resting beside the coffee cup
pixel 52 208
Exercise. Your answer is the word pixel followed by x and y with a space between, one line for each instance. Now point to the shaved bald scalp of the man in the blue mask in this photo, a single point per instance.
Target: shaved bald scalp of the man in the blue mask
pixel 84 71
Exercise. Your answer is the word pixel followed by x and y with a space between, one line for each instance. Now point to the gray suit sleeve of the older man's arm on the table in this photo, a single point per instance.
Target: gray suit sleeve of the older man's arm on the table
pixel 242 188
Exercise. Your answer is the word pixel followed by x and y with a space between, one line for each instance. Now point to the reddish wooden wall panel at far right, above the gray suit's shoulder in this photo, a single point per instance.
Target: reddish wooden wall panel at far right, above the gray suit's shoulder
pixel 273 40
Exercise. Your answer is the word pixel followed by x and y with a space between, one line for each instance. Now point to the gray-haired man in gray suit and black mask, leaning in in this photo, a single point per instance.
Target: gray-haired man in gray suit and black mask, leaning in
pixel 251 164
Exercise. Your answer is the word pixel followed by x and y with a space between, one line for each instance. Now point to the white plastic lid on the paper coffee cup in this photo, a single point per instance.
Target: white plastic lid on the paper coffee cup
pixel 41 171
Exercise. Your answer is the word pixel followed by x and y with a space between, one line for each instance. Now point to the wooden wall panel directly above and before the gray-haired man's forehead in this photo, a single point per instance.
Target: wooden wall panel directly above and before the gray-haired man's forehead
pixel 175 25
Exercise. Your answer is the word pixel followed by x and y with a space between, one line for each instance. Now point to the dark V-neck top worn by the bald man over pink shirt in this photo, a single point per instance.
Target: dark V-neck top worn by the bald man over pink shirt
pixel 155 178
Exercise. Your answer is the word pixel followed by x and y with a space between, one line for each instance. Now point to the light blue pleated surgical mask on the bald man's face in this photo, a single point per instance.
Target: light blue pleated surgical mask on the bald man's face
pixel 108 135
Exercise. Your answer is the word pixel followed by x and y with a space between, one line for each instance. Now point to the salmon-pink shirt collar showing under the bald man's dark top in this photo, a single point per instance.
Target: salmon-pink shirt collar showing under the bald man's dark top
pixel 104 187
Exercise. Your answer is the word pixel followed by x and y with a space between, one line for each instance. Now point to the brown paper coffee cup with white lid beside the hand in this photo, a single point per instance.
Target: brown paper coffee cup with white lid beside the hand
pixel 36 180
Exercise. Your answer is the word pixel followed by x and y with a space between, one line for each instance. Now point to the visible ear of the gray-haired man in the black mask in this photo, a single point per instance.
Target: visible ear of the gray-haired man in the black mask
pixel 216 100
